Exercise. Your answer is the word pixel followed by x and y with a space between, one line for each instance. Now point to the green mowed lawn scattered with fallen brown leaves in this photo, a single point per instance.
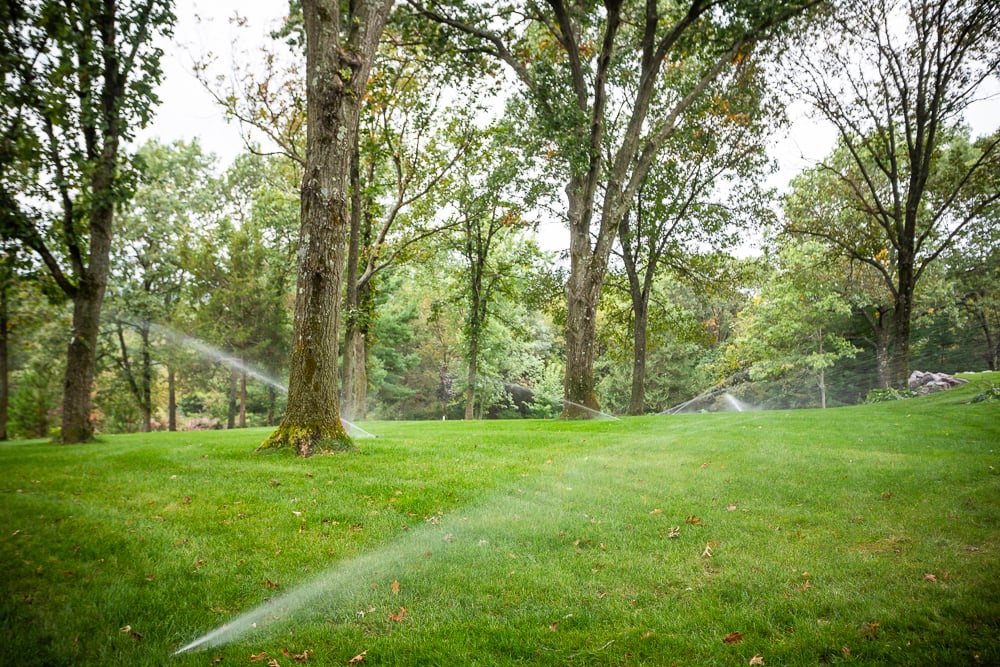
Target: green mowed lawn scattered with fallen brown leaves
pixel 866 535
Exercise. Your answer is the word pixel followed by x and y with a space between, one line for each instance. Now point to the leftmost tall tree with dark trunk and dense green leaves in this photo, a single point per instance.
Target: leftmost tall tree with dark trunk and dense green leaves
pixel 78 79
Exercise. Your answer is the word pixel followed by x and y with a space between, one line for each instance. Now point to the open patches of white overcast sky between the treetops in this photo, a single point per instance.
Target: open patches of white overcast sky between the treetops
pixel 187 110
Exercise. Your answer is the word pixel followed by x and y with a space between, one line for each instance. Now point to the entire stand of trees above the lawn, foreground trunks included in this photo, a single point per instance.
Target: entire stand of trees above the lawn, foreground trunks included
pixel 385 225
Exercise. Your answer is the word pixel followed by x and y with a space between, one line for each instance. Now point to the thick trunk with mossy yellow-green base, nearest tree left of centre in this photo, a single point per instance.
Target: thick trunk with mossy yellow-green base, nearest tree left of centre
pixel 340 47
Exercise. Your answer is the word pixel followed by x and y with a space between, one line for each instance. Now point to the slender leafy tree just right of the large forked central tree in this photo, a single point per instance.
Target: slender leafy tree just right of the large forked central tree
pixel 702 191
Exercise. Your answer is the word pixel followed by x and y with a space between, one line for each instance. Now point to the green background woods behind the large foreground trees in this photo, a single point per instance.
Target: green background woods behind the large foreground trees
pixel 458 307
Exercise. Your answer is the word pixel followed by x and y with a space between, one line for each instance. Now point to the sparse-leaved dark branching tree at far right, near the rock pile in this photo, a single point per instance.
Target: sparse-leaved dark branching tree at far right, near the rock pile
pixel 894 78
